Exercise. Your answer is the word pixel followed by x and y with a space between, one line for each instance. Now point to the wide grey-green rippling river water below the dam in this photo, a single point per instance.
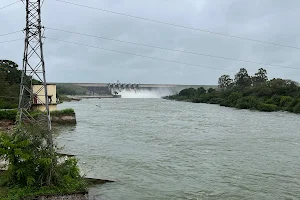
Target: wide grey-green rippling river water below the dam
pixel 159 149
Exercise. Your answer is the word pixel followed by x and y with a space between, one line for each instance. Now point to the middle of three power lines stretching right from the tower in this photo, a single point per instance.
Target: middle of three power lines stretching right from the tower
pixel 168 49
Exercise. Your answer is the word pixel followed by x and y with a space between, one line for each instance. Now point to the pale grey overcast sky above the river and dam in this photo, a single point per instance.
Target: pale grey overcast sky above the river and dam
pixel 274 21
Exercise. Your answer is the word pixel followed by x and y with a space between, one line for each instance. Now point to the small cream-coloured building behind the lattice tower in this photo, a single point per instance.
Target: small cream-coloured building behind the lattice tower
pixel 39 97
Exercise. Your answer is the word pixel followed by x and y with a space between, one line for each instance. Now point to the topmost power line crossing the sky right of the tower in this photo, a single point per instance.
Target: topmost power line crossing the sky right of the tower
pixel 177 25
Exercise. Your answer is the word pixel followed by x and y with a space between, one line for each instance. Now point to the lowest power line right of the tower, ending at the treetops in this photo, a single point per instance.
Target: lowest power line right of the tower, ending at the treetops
pixel 138 55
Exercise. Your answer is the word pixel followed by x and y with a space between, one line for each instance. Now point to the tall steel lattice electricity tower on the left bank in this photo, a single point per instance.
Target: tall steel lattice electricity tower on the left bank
pixel 33 70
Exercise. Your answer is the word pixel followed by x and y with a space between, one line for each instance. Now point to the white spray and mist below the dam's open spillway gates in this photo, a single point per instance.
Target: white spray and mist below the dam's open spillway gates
pixel 145 93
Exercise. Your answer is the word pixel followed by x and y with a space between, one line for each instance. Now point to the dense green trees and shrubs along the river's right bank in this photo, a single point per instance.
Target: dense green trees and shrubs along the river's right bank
pixel 248 92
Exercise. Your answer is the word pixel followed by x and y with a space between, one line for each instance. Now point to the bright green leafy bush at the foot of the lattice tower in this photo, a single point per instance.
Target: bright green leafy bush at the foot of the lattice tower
pixel 33 167
